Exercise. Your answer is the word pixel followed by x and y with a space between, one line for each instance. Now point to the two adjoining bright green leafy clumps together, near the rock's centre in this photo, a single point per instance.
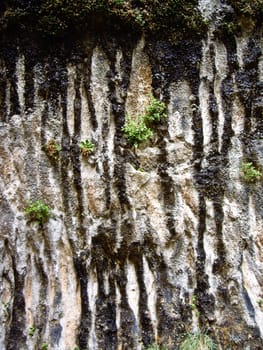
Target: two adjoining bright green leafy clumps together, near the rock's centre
pixel 138 130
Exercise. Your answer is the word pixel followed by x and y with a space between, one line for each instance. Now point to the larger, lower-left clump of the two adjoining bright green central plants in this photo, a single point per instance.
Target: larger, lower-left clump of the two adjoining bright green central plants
pixel 136 131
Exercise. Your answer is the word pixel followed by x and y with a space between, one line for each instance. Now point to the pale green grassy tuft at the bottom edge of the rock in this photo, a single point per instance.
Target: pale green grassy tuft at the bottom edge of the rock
pixel 197 341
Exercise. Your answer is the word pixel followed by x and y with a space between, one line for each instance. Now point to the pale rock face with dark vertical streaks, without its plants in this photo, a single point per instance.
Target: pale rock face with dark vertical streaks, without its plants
pixel 146 244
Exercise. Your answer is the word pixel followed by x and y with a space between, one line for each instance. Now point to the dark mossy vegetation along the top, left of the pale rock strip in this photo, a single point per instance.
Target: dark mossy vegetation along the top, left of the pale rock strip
pixel 60 17
